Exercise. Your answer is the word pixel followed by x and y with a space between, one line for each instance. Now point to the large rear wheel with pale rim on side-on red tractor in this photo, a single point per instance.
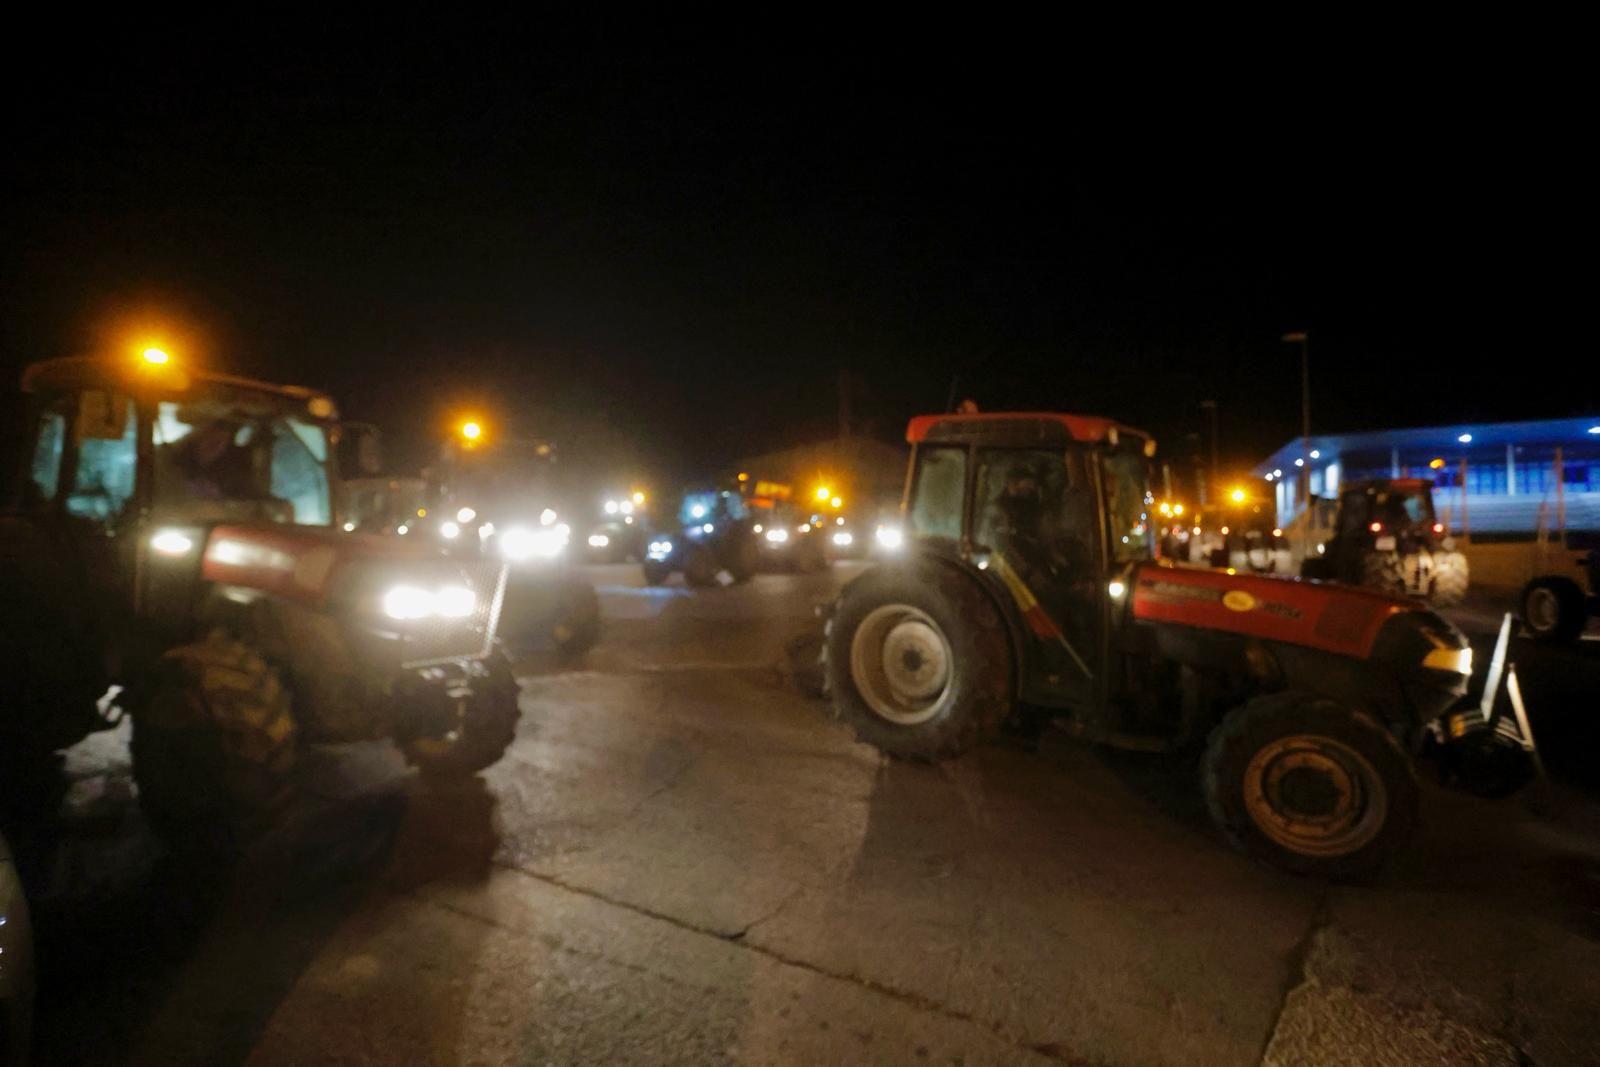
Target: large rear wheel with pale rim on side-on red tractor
pixel 919 663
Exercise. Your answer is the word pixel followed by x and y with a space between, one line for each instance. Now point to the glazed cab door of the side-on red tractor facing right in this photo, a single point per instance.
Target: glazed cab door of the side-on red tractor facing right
pixel 1034 535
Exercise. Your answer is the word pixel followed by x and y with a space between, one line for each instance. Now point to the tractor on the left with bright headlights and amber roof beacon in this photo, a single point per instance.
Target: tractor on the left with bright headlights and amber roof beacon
pixel 177 553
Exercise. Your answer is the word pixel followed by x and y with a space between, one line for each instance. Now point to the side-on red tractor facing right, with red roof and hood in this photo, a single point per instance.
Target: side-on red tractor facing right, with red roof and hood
pixel 1031 589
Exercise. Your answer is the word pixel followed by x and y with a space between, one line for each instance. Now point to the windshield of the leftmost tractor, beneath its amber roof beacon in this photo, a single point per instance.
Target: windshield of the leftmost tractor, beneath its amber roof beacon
pixel 233 455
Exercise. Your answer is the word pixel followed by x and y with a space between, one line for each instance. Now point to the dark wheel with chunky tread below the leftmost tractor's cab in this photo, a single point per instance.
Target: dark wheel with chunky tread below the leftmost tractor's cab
pixel 215 746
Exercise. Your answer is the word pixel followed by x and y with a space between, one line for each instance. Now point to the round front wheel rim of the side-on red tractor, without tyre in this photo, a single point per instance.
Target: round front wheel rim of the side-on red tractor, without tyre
pixel 1316 796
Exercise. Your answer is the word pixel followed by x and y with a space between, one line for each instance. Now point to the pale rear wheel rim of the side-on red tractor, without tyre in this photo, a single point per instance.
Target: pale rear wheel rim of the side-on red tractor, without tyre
pixel 902 665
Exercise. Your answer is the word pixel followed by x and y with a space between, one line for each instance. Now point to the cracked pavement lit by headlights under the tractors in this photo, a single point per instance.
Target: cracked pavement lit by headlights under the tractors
pixel 684 861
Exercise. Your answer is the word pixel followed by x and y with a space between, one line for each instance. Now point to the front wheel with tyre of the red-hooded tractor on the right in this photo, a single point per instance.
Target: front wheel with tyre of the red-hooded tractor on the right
pixel 1310 786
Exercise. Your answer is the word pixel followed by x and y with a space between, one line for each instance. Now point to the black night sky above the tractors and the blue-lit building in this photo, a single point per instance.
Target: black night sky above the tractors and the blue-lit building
pixel 694 246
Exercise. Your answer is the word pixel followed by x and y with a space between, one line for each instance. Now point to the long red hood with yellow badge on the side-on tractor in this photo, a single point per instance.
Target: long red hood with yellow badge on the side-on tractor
pixel 1329 618
